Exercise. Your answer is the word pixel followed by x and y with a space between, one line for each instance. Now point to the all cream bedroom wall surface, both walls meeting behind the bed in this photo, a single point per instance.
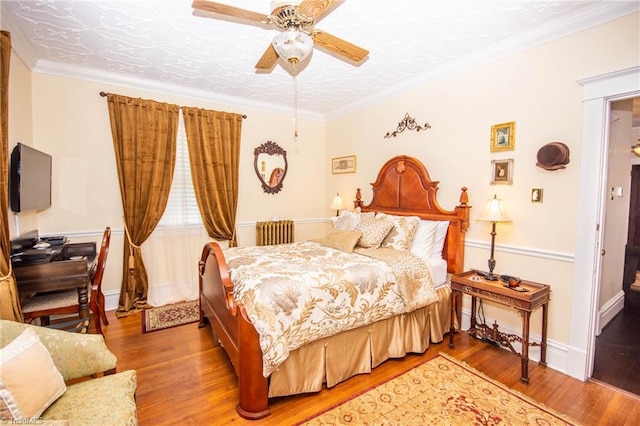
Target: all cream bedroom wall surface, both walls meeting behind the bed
pixel 537 89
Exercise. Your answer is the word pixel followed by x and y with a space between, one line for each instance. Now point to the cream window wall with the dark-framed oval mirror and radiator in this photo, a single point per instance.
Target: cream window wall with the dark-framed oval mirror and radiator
pixel 71 122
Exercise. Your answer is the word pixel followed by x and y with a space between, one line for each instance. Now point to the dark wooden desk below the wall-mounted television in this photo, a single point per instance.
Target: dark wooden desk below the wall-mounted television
pixel 64 274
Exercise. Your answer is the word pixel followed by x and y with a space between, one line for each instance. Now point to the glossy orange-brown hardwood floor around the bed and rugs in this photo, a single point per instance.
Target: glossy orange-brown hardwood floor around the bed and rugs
pixel 185 377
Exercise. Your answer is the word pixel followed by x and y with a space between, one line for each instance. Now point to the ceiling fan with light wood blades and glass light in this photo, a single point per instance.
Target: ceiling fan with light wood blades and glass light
pixel 296 23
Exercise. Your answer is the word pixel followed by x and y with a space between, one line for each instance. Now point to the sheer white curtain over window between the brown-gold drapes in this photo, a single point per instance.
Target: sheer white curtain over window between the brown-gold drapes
pixel 172 252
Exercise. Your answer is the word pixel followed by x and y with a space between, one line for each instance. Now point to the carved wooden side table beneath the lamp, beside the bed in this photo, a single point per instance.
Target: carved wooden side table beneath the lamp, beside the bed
pixel 524 302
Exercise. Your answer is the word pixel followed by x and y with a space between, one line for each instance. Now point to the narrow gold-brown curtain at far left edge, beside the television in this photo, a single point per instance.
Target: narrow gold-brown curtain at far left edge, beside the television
pixel 9 299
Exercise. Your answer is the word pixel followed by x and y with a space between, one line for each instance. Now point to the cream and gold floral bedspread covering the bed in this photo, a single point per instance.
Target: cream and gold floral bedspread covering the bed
pixel 301 292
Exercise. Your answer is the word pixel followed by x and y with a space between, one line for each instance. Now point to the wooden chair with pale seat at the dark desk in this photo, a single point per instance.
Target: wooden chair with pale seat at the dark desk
pixel 66 302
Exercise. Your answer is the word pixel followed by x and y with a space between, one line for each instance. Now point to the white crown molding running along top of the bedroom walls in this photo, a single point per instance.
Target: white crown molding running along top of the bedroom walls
pixel 597 14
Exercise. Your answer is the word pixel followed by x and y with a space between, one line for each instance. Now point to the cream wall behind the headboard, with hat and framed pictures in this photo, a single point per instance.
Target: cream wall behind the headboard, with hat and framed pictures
pixel 538 90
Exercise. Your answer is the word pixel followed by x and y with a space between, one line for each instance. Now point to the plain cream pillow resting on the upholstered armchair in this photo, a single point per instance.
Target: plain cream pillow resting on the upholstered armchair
pixel 29 380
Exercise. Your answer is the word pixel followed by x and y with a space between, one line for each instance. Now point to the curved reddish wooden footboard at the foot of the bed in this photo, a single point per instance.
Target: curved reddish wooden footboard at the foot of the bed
pixel 235 332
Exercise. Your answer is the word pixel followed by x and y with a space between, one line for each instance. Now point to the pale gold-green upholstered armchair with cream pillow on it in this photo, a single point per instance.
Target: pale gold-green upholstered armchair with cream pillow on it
pixel 60 377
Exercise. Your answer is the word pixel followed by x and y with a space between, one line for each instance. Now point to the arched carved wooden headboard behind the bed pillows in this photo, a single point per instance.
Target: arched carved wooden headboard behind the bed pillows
pixel 403 187
